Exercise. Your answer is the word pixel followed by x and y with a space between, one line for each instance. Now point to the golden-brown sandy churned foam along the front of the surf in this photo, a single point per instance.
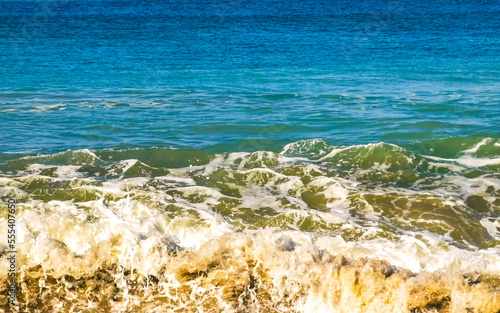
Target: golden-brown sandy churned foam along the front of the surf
pixel 238 274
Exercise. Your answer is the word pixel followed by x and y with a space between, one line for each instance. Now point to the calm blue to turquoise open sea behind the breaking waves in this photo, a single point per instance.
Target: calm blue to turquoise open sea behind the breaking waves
pixel 245 75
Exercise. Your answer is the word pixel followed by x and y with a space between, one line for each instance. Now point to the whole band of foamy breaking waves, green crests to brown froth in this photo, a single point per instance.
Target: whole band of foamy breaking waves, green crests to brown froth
pixel 315 228
